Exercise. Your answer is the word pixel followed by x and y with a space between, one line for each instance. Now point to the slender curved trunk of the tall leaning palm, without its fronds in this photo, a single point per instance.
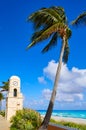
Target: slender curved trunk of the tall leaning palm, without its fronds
pixel 53 96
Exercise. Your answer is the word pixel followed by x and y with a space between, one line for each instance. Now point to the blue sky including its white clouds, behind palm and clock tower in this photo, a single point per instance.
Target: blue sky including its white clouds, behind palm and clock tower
pixel 36 70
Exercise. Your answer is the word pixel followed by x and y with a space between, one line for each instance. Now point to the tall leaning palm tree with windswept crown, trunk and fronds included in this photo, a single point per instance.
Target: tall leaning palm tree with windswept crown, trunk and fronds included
pixel 51 23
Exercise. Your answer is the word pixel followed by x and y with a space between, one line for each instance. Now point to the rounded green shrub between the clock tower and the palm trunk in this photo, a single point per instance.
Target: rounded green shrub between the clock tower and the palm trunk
pixel 26 119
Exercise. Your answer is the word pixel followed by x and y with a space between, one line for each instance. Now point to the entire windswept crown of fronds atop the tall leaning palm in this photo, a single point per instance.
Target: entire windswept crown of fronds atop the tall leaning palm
pixel 50 23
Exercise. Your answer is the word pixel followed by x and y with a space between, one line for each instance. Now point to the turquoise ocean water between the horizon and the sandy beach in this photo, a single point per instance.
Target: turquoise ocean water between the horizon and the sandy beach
pixel 67 113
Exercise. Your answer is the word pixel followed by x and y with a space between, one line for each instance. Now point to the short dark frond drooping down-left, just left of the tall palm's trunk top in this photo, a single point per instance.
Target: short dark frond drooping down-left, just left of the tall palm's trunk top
pixel 53 42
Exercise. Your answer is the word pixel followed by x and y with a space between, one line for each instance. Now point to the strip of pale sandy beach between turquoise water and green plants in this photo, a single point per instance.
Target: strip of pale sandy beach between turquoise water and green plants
pixel 67 119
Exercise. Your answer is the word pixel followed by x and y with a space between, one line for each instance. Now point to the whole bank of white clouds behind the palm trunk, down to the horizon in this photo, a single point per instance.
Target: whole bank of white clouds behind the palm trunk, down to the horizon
pixel 71 89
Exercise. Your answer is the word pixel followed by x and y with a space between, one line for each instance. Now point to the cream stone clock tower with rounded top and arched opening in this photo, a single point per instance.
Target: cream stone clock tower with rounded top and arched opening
pixel 14 98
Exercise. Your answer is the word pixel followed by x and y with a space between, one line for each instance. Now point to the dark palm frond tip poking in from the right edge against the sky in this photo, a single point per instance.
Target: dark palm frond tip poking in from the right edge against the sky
pixel 81 19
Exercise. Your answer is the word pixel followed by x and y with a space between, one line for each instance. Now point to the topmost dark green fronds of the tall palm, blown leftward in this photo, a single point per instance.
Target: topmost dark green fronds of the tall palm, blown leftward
pixel 46 16
